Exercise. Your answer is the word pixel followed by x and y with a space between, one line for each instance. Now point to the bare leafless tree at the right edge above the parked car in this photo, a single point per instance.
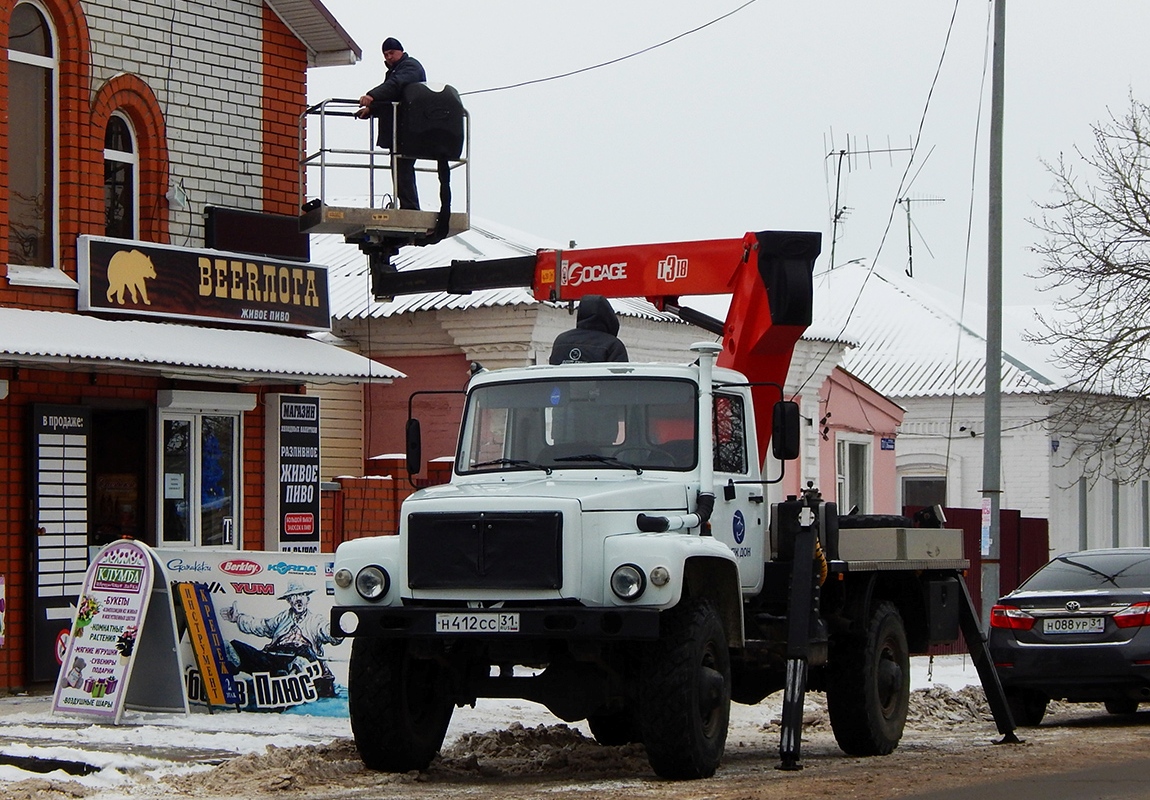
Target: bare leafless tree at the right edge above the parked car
pixel 1097 253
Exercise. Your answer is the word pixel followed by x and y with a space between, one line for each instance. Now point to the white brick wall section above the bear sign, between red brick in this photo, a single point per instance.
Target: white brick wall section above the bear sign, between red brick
pixel 204 64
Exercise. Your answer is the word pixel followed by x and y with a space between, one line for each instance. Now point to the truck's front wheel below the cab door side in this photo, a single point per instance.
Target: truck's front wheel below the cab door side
pixel 685 698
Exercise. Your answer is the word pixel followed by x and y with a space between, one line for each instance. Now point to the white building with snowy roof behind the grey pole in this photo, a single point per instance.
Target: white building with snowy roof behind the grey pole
pixel 918 348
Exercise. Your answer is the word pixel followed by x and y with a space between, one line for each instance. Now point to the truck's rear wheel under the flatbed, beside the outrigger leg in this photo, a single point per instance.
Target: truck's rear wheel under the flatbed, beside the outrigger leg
pixel 870 686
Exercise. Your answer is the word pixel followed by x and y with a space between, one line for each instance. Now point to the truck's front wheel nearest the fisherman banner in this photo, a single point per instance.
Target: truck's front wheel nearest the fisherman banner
pixel 398 706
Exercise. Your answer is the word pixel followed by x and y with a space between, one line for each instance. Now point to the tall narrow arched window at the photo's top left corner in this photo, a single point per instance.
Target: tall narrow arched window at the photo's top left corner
pixel 32 143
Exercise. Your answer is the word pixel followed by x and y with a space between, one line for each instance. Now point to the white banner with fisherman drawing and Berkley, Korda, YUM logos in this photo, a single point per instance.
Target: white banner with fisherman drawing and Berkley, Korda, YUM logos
pixel 273 614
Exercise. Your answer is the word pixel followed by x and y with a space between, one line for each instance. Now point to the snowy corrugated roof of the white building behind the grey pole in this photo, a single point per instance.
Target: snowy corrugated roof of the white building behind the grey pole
pixel 911 341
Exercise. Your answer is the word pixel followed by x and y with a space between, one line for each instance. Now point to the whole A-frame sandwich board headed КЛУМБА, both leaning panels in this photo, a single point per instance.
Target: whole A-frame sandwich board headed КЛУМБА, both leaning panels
pixel 125 620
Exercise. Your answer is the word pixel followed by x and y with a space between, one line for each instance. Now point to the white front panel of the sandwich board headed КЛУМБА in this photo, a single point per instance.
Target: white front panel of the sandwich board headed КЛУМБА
pixel 102 649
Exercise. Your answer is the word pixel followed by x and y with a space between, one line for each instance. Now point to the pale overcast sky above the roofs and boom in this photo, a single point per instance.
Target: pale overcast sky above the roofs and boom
pixel 729 129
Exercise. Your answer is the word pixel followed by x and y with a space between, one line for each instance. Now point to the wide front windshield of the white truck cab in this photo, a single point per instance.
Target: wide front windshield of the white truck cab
pixel 581 424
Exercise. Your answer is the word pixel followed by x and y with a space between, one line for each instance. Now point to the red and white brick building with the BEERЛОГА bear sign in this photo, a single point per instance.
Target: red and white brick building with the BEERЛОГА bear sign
pixel 152 309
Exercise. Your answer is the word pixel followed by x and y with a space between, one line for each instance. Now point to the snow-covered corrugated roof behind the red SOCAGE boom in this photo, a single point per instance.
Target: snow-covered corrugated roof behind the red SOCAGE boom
pixel 350 281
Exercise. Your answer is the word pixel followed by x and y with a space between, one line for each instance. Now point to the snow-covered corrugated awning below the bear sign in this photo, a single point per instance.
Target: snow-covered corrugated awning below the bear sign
pixel 79 342
